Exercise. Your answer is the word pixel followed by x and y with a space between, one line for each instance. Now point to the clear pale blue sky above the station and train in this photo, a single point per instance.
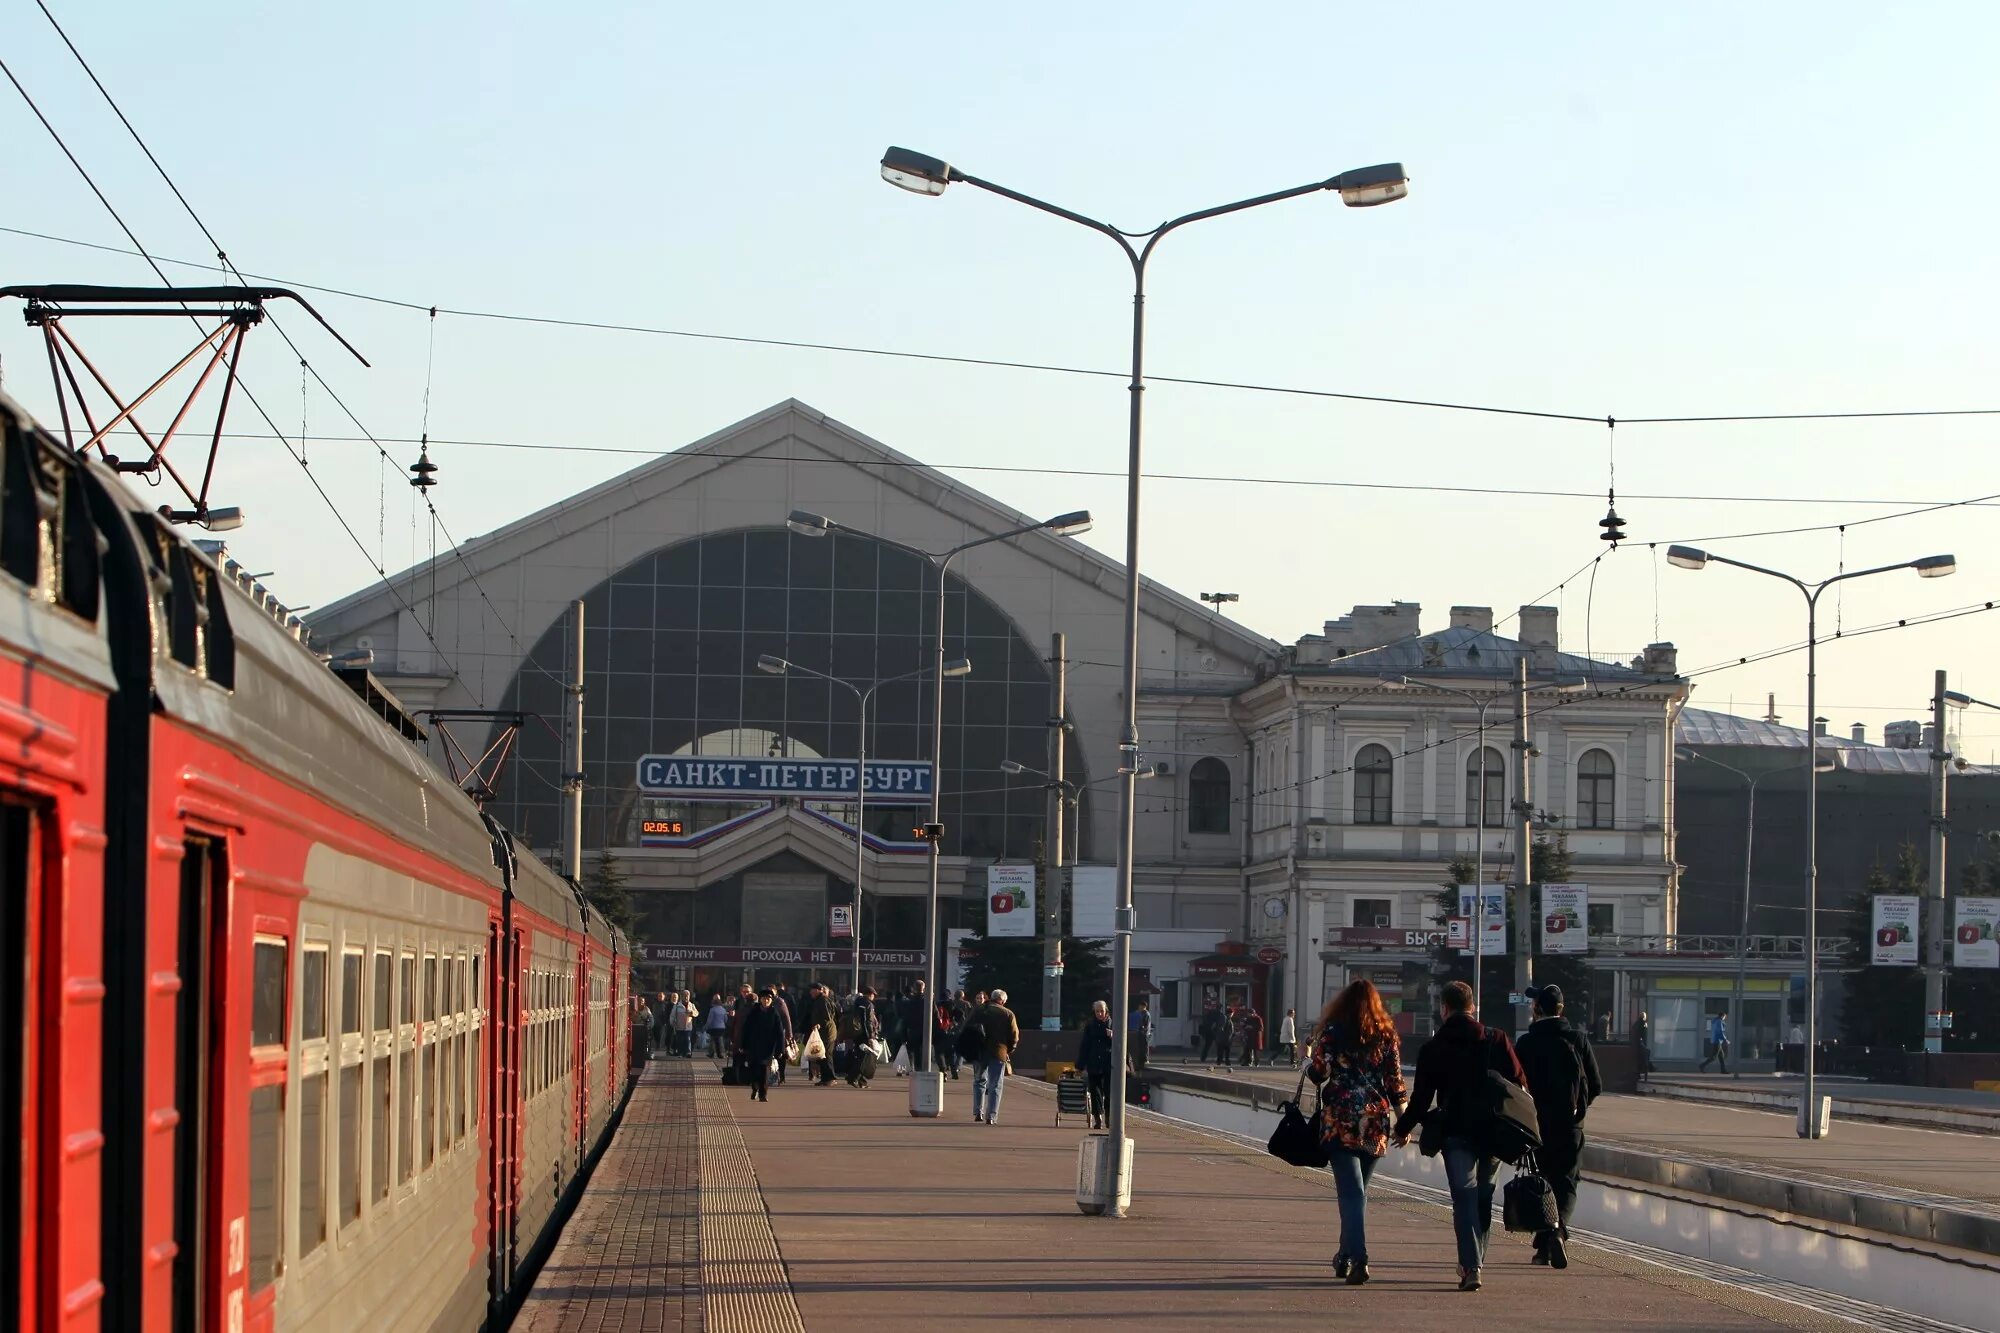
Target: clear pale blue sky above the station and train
pixel 1633 211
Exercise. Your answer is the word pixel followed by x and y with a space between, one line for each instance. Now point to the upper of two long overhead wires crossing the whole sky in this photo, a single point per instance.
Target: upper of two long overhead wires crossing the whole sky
pixel 849 349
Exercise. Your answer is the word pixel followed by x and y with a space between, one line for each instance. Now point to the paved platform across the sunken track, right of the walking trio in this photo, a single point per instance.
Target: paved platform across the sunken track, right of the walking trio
pixel 1935 1164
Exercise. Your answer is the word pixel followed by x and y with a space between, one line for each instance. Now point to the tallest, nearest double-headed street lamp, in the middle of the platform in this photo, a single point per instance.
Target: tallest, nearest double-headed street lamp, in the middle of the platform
pixel 1359 189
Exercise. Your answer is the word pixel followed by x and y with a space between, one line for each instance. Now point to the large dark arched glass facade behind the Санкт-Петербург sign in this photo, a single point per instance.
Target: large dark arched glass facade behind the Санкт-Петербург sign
pixel 671 649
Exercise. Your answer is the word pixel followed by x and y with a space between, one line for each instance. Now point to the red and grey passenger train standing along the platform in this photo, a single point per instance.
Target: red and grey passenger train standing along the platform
pixel 293 1034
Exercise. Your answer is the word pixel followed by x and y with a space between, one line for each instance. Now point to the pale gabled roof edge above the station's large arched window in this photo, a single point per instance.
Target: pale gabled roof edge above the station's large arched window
pixel 761 433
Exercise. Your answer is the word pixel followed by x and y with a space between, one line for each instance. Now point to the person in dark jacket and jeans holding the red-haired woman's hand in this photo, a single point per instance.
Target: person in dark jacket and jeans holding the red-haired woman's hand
pixel 1451 1072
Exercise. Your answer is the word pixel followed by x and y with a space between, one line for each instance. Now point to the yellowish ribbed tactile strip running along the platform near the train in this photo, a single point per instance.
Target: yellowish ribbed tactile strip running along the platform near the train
pixel 745 1288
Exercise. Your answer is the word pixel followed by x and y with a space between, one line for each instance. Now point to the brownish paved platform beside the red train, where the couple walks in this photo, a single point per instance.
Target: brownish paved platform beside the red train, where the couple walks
pixel 893 1222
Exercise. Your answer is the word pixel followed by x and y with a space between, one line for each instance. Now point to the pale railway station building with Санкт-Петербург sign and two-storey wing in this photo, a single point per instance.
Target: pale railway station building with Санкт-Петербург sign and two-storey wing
pixel 1297 818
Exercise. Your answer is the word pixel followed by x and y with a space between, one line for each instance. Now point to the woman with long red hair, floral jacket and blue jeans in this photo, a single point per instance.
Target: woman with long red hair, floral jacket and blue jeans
pixel 1359 1066
